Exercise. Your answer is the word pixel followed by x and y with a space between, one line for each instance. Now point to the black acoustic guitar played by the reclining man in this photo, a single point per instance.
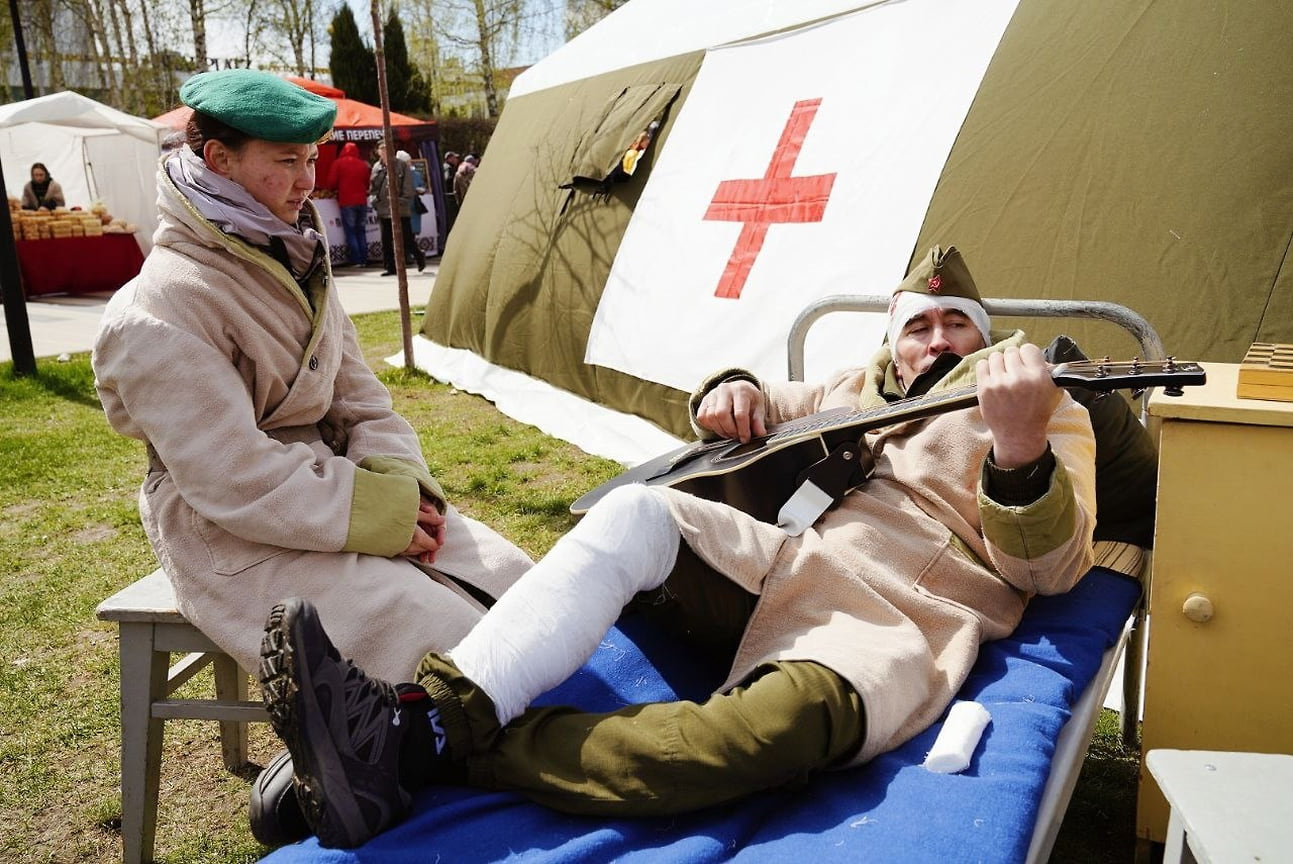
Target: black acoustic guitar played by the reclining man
pixel 761 475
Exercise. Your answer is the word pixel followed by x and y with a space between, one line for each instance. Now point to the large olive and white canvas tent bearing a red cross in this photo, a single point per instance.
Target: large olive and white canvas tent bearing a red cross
pixel 1127 151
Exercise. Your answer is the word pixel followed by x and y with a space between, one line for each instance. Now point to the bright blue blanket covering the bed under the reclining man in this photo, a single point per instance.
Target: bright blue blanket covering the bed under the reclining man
pixel 889 810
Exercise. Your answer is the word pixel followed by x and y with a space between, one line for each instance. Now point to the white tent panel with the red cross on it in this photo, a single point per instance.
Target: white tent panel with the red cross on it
pixel 778 118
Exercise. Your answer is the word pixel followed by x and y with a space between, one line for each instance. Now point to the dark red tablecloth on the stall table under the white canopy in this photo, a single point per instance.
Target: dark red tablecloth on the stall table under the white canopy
pixel 78 265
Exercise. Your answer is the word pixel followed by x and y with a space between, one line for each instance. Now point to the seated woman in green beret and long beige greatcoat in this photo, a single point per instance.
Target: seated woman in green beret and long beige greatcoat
pixel 276 460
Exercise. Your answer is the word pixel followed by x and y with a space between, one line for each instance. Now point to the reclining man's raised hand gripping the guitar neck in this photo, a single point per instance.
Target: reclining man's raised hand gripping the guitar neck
pixel 1017 396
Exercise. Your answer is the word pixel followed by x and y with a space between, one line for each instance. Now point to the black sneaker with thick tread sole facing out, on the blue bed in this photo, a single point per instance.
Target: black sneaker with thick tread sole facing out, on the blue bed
pixel 343 729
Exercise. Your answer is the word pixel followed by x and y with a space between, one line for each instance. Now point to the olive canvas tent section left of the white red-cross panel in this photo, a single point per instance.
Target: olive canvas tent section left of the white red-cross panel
pixel 527 261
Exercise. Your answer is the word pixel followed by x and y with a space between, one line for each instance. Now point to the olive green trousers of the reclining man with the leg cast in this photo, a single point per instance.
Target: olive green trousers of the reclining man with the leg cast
pixel 787 721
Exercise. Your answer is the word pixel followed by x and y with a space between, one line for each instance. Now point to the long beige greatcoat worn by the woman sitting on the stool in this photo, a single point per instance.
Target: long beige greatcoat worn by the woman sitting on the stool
pixel 277 465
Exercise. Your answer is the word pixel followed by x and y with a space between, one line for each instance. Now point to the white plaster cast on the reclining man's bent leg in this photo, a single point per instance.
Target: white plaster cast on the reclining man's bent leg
pixel 553 620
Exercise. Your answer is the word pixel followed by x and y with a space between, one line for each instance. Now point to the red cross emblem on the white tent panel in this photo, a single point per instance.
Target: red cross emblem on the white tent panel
pixel 778 197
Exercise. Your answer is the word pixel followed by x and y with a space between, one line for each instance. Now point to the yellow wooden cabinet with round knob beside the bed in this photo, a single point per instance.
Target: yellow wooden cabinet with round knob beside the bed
pixel 1220 660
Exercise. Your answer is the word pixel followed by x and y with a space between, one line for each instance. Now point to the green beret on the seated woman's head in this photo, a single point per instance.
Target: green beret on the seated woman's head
pixel 262 105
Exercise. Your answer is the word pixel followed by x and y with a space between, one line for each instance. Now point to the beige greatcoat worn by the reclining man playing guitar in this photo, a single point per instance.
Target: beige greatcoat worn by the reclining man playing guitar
pixel 898 588
